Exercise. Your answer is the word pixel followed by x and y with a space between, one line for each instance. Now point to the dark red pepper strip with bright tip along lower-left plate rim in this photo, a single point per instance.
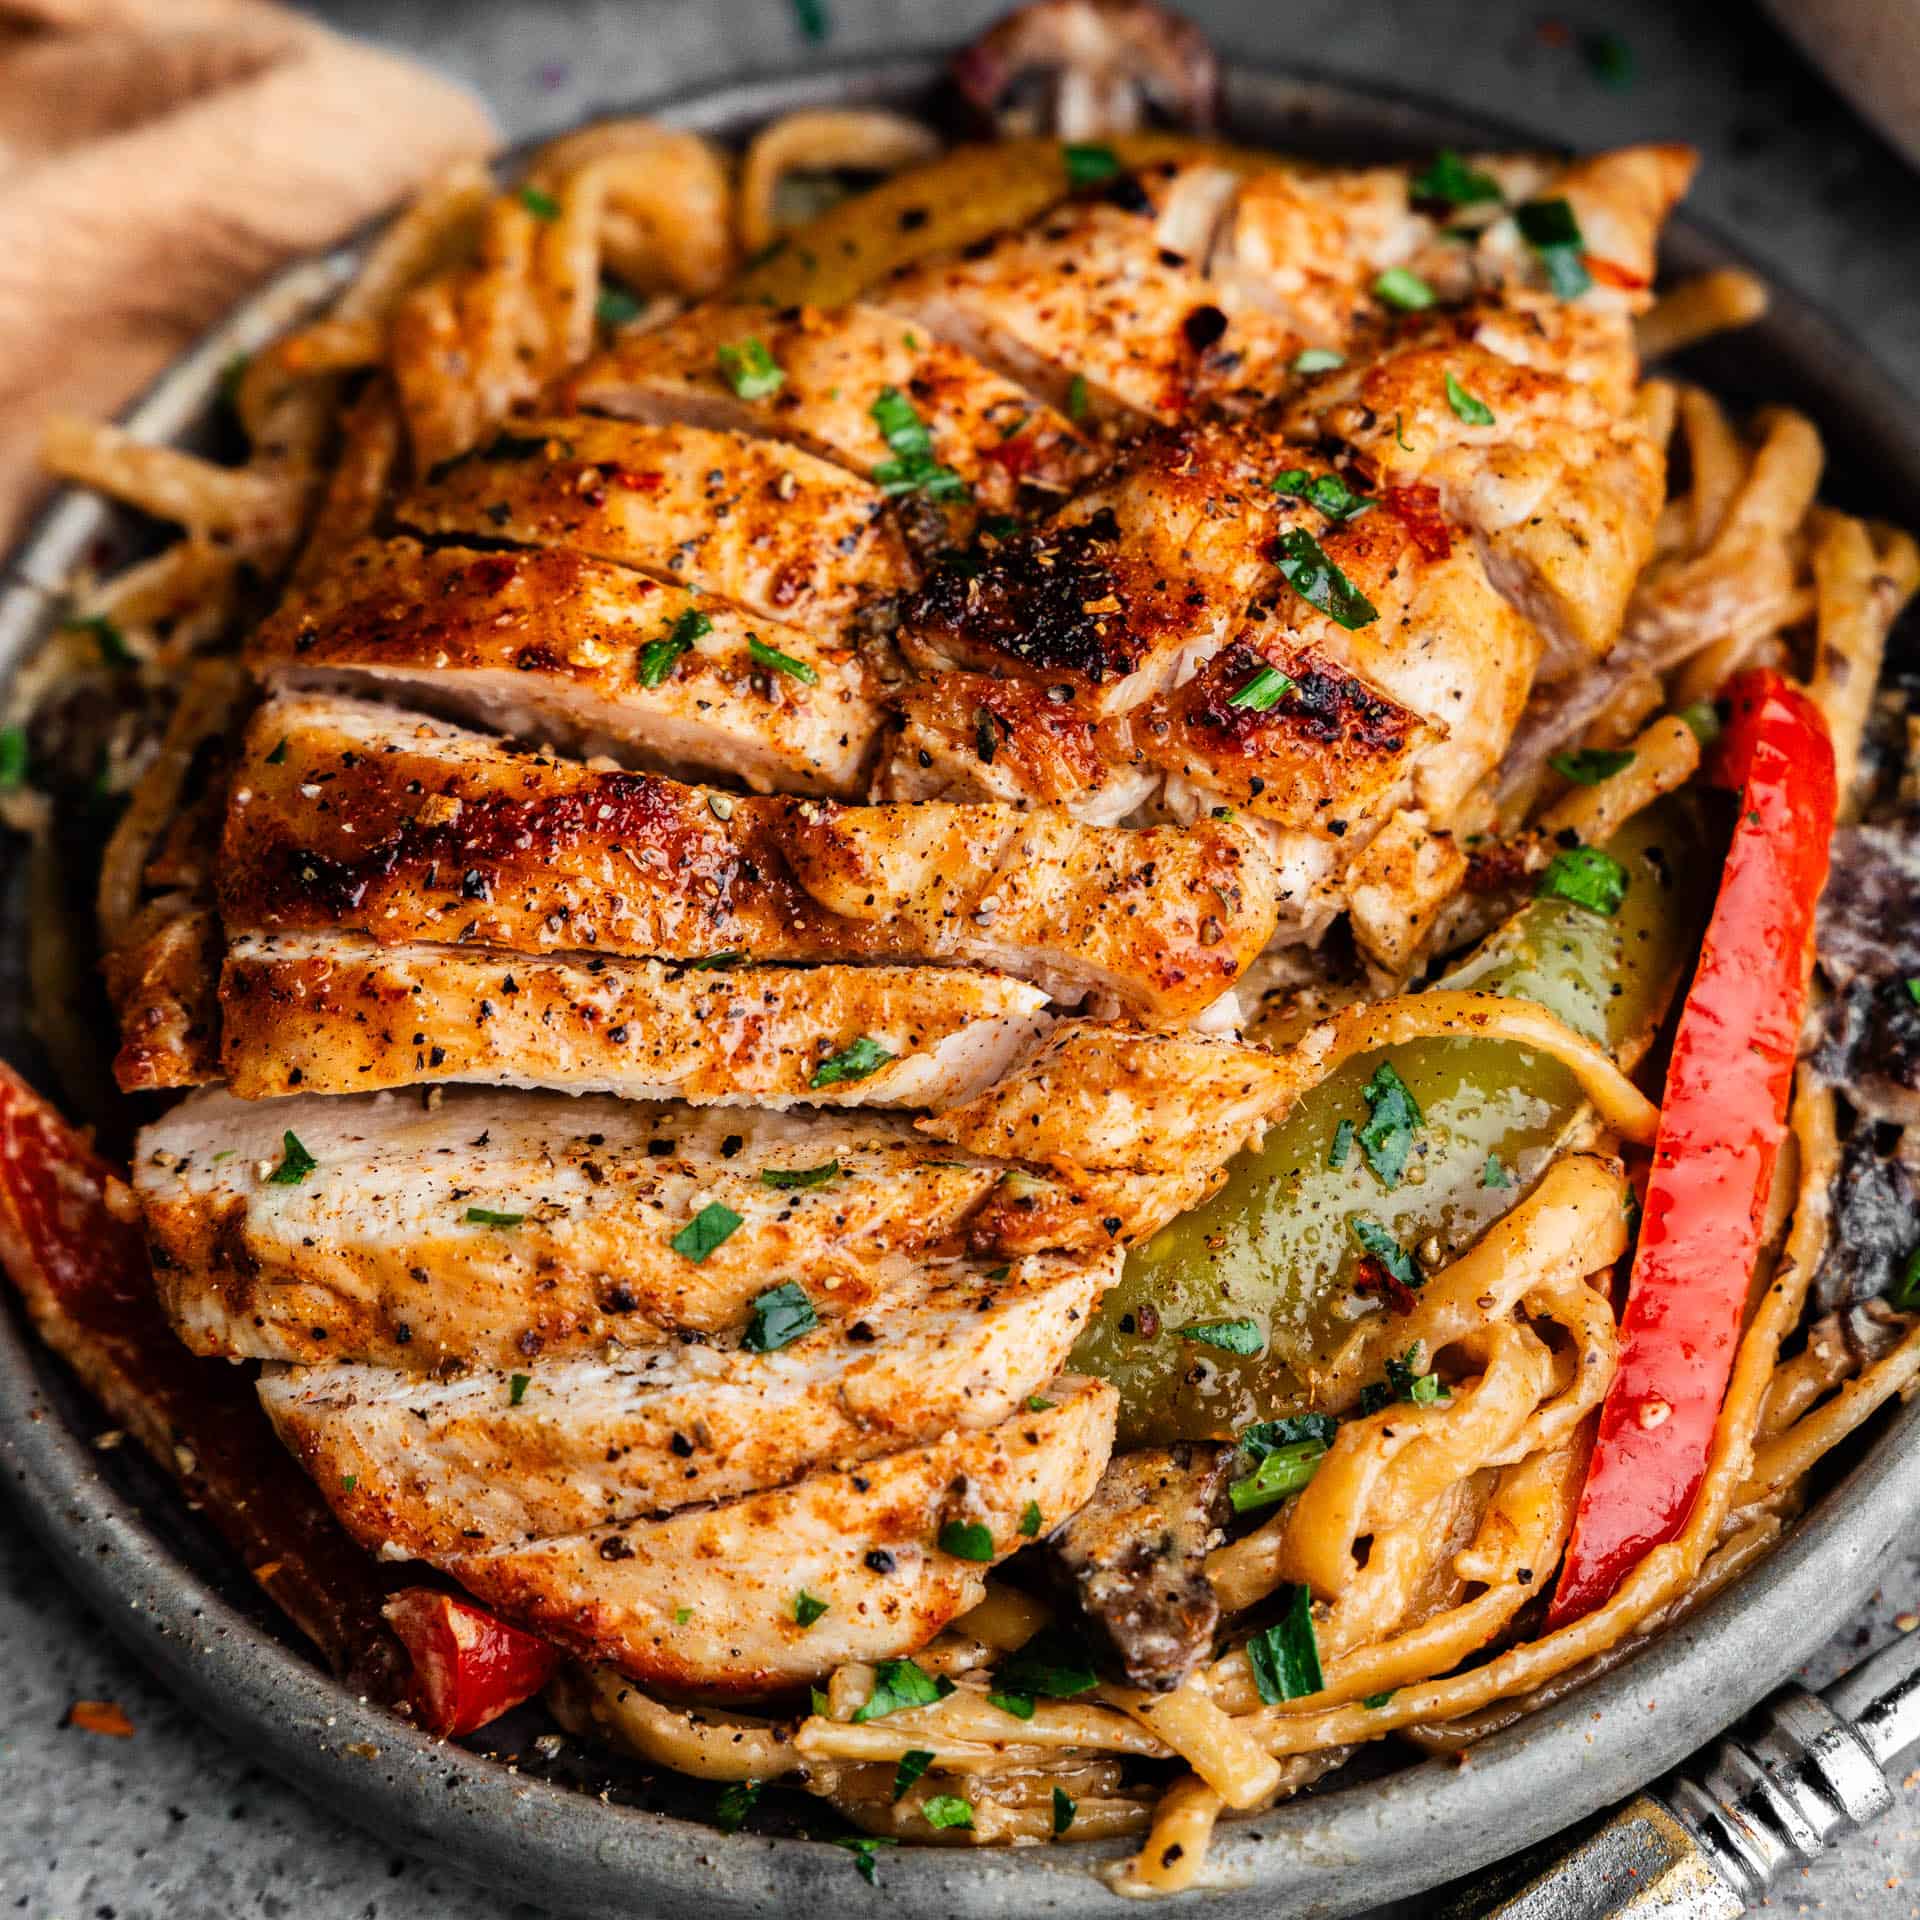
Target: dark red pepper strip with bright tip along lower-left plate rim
pixel 72 1245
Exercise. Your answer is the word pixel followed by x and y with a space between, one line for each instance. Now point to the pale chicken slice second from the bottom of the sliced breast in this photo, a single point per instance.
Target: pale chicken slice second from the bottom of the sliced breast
pixel 443 1466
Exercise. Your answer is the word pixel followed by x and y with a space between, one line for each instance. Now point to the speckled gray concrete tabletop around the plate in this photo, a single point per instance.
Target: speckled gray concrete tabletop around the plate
pixel 176 1825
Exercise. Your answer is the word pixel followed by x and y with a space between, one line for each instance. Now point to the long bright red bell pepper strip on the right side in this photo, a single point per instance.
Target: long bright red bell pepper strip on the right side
pixel 1721 1126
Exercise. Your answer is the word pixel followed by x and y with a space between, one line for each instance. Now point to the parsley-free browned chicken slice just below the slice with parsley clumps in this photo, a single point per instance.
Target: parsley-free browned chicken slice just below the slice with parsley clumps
pixel 752 521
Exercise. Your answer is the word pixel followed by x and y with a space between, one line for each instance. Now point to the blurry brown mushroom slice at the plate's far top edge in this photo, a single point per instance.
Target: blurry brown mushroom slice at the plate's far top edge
pixel 1090 68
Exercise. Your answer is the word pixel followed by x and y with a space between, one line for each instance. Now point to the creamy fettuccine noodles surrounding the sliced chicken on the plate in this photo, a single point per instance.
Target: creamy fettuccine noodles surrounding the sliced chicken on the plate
pixel 1433 1525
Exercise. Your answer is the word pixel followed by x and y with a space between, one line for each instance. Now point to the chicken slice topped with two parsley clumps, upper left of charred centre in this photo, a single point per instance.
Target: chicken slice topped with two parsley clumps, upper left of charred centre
pixel 834 372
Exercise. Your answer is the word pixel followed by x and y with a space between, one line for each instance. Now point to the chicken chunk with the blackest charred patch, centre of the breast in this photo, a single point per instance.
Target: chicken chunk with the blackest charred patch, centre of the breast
pixel 1130 587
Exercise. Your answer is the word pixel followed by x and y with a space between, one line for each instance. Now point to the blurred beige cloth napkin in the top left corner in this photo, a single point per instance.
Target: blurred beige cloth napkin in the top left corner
pixel 162 156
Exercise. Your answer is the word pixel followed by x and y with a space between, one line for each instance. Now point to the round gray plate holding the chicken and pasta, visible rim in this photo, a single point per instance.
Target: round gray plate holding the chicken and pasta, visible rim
pixel 164 1587
